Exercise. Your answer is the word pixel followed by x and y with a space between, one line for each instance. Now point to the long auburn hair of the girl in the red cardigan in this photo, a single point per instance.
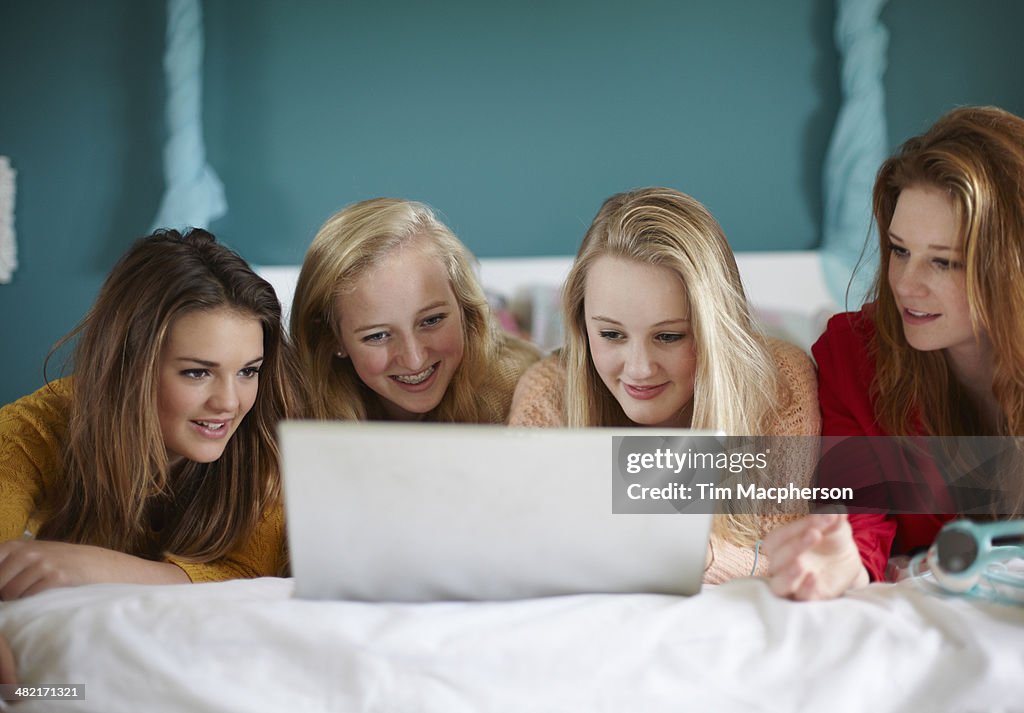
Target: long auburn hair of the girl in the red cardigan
pixel 975 155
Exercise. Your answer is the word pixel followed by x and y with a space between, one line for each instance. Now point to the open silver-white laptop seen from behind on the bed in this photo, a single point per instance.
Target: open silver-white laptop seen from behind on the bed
pixel 382 512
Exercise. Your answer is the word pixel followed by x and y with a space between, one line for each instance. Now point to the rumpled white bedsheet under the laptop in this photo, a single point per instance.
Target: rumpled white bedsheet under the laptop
pixel 247 646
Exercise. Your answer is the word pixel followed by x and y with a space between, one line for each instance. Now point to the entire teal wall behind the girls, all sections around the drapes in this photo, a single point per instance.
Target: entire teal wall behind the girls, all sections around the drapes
pixel 515 119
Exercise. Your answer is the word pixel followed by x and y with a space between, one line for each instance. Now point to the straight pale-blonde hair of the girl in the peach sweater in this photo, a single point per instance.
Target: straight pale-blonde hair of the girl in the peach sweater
pixel 737 382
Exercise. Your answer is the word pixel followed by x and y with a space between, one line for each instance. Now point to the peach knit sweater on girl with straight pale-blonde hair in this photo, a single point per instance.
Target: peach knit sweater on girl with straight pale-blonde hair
pixel 540 401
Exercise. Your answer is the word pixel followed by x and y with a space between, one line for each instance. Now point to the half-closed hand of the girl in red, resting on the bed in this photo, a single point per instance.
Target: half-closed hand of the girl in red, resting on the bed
pixel 815 558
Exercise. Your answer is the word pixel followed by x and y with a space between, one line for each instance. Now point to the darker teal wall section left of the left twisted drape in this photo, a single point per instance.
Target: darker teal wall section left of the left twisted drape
pixel 81 102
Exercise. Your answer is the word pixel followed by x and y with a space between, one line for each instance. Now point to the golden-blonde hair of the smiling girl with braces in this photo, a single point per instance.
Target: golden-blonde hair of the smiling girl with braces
pixel 351 243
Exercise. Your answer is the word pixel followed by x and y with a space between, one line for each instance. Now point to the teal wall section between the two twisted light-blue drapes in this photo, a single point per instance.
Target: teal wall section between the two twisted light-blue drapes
pixel 518 119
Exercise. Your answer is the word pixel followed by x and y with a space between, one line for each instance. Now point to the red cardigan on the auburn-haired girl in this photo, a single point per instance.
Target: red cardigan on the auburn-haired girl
pixel 846 371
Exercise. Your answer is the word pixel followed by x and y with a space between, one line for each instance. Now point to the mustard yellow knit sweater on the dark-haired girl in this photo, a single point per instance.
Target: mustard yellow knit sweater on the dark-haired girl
pixel 32 433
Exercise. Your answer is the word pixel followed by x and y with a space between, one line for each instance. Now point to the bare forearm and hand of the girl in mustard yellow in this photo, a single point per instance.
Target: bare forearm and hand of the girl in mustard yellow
pixel 29 567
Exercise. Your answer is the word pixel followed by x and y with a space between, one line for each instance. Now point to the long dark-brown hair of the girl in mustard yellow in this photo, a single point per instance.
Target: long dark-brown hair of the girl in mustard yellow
pixel 120 491
